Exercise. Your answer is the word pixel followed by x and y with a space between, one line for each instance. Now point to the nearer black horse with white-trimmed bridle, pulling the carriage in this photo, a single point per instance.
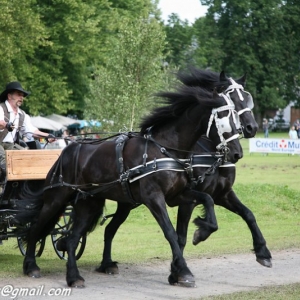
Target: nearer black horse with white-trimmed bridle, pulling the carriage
pixel 159 155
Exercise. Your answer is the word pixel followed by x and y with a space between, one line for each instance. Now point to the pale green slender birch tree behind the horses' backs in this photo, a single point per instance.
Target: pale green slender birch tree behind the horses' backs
pixel 121 89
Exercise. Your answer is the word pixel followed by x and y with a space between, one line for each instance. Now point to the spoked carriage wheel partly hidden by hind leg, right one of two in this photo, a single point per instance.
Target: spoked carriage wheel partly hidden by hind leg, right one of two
pixel 61 231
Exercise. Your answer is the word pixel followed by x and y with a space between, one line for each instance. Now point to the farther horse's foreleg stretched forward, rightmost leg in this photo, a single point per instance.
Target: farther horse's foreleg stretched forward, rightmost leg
pixel 232 203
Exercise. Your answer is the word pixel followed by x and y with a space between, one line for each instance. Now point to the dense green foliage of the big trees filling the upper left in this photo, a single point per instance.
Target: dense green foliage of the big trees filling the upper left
pixel 51 46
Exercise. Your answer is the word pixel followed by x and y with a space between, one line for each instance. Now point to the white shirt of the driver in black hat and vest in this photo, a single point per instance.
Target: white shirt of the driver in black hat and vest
pixel 26 130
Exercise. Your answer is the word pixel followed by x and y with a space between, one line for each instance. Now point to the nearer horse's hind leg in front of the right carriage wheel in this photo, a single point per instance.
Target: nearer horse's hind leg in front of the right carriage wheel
pixel 87 213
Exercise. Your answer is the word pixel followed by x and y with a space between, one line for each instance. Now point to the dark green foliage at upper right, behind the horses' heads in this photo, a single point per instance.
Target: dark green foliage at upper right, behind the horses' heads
pixel 254 37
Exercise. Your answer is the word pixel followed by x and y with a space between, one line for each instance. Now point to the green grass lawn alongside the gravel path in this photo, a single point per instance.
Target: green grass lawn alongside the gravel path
pixel 268 185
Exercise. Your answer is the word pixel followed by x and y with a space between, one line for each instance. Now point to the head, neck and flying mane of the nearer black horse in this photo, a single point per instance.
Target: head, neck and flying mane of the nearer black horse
pixel 197 111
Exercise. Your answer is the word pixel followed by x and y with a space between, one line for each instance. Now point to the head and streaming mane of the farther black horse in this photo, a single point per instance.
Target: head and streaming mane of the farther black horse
pixel 232 88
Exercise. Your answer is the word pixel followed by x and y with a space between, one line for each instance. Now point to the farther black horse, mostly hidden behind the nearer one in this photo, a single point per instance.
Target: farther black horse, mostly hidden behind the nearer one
pixel 220 185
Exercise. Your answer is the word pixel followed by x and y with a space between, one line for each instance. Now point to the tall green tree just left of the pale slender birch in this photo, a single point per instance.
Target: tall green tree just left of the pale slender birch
pixel 76 31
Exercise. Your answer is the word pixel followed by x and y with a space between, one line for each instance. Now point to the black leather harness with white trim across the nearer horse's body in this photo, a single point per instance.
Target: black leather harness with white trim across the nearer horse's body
pixel 170 163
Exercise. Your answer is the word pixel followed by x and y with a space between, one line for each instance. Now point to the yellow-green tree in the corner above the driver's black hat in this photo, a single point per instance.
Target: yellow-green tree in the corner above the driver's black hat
pixel 21 32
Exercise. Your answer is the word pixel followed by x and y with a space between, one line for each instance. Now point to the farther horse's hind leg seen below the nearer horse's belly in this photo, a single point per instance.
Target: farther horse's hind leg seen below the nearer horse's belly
pixel 107 265
